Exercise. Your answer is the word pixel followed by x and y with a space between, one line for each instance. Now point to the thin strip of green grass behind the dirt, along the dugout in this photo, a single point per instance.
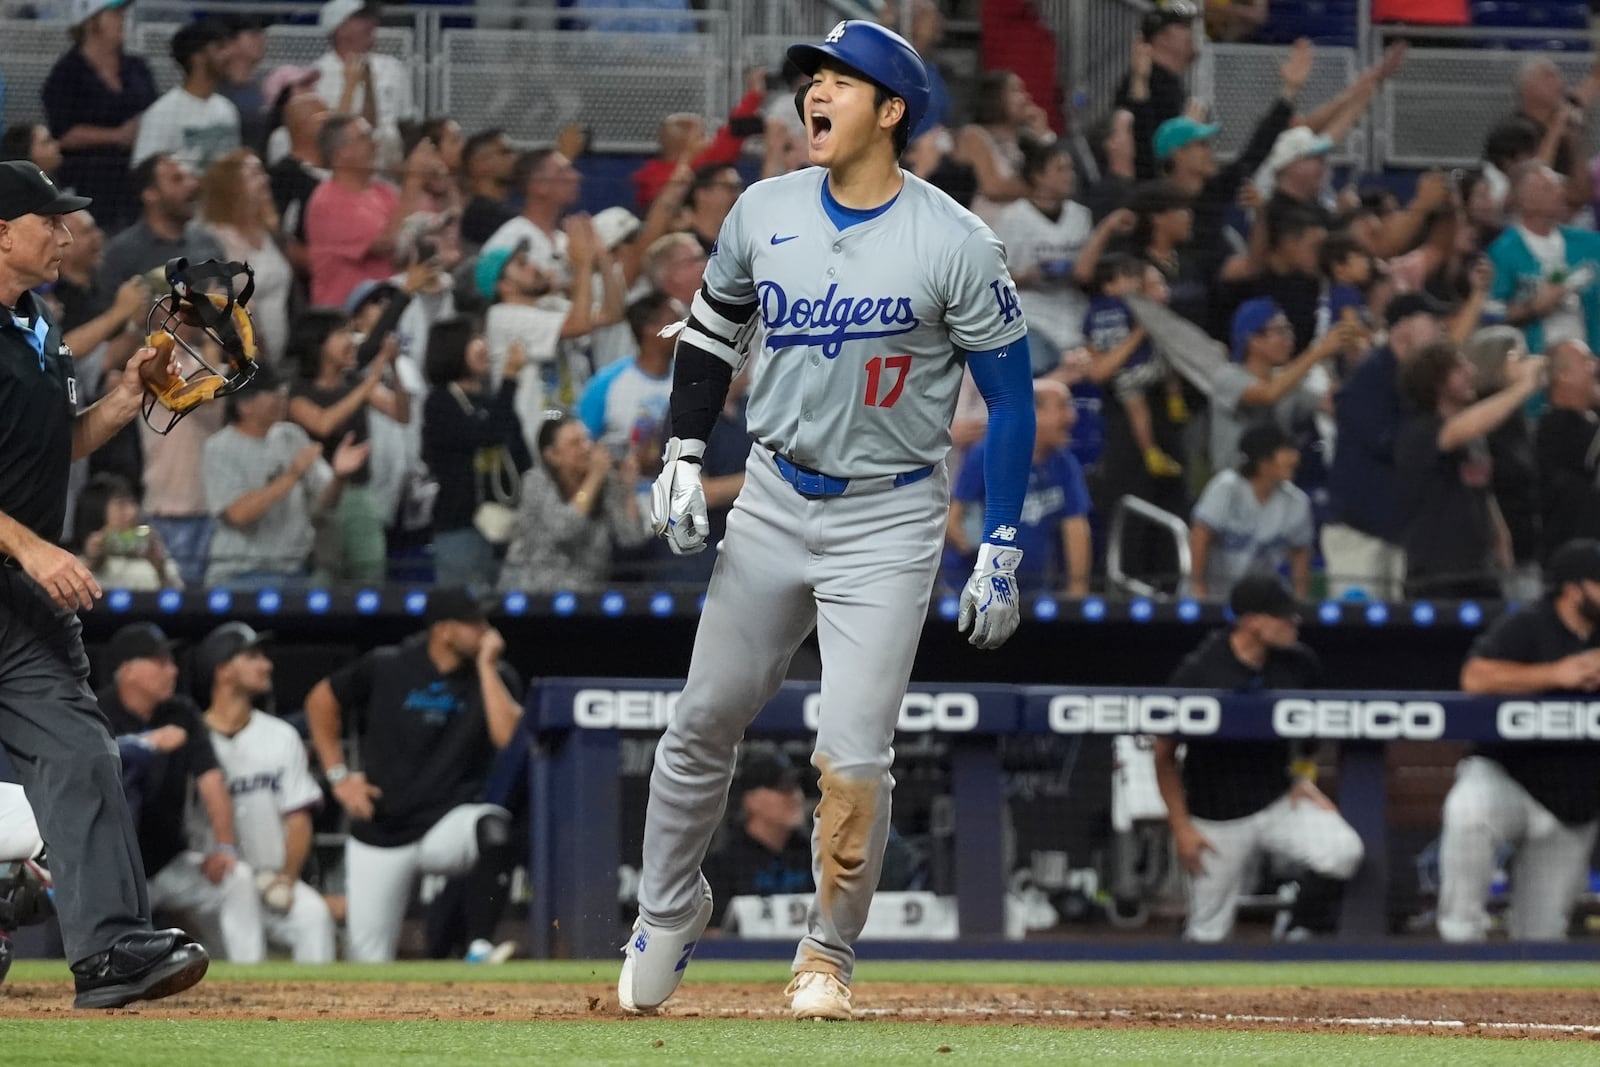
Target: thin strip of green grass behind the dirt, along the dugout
pixel 994 972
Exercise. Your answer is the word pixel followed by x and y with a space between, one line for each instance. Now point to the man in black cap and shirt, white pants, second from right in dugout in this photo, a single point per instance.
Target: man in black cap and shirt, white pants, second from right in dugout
pixel 1239 802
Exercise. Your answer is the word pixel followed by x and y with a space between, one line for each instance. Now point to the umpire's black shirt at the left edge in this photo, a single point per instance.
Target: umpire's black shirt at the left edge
pixel 39 402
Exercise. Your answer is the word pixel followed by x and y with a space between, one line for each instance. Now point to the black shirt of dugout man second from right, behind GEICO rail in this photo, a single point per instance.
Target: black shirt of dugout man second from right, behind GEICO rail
pixel 1231 780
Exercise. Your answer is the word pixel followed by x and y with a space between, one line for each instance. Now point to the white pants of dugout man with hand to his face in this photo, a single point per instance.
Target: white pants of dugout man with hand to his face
pixel 380 881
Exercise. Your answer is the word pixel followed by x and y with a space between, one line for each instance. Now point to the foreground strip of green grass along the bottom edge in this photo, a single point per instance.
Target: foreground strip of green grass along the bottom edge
pixel 158 1044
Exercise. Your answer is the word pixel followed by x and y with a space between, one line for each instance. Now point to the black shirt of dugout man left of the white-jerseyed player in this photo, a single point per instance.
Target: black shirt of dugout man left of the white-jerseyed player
pixel 170 777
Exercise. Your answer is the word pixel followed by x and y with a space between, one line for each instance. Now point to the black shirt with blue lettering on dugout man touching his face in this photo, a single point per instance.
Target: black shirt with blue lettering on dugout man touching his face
pixel 425 738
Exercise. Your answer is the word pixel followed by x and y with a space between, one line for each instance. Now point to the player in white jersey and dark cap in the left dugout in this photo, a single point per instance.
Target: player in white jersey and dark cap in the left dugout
pixel 268 777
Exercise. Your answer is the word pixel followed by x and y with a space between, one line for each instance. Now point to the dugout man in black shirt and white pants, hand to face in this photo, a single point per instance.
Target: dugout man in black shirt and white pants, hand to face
pixel 426 717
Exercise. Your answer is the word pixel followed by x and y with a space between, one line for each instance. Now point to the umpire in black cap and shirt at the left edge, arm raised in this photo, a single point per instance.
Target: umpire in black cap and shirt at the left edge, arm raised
pixel 50 724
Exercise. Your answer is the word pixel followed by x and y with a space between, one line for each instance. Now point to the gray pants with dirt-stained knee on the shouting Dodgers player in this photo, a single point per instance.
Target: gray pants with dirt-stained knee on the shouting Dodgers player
pixel 860 569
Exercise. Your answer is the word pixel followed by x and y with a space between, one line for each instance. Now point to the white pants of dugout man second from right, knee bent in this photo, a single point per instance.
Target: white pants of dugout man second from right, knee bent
pixel 1303 834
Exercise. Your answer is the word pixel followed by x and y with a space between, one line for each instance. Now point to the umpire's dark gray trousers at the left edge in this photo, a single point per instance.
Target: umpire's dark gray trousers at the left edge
pixel 66 759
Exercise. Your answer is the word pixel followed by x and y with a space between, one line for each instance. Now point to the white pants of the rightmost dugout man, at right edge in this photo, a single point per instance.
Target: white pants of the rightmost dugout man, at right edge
pixel 1486 810
